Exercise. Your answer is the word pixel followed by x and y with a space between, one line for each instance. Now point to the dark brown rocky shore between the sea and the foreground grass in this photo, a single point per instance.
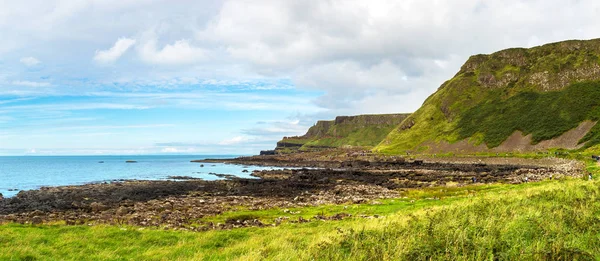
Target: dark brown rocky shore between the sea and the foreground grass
pixel 185 204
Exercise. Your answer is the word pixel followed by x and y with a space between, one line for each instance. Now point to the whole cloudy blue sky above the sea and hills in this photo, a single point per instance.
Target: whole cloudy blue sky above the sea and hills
pixel 120 77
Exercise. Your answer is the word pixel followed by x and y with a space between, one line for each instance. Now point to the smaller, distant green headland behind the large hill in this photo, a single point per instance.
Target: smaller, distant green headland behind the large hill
pixel 354 131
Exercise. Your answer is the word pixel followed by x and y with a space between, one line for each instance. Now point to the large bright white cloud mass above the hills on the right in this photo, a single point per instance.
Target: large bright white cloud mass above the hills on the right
pixel 399 52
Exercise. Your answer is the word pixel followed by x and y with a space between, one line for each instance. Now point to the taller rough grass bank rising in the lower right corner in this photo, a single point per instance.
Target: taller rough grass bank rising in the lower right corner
pixel 555 222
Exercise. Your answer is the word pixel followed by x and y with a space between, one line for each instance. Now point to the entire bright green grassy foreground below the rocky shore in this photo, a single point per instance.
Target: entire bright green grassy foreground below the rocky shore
pixel 556 220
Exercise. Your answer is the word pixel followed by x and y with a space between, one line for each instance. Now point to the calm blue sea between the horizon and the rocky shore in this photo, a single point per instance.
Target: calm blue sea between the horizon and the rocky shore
pixel 29 172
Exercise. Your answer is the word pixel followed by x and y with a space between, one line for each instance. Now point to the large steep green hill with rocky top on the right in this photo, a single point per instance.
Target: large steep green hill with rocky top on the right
pixel 511 100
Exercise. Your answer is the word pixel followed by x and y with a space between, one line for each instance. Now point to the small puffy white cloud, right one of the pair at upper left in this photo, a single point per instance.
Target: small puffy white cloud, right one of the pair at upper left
pixel 179 53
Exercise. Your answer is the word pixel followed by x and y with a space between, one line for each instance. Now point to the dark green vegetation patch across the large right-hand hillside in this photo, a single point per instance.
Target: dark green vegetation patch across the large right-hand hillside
pixel 544 115
